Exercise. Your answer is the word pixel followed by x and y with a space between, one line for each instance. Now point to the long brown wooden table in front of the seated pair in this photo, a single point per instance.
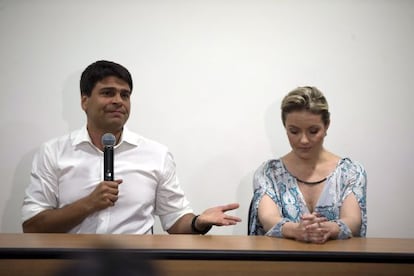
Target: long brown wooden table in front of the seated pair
pixel 45 254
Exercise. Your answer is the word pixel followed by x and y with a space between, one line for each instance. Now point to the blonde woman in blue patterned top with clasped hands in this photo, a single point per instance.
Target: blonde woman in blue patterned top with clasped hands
pixel 310 194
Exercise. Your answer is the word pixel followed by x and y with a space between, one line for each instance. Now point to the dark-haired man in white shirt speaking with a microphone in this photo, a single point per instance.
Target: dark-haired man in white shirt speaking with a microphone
pixel 67 193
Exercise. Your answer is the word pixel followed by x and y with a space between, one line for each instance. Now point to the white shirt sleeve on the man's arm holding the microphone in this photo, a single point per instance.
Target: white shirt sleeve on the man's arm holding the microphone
pixel 41 194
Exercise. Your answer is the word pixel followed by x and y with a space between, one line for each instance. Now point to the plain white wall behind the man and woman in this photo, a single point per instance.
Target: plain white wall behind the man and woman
pixel 209 76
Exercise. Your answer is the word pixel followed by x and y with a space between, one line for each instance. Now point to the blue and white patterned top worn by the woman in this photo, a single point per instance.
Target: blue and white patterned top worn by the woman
pixel 274 180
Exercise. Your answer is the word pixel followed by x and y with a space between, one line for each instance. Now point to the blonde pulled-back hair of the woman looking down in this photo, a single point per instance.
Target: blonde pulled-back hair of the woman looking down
pixel 306 98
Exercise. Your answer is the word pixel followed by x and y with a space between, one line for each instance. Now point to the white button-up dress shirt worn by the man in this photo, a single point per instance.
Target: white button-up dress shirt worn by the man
pixel 70 167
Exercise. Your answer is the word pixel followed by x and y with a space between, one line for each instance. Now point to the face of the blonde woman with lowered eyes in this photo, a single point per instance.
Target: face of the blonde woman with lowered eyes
pixel 306 133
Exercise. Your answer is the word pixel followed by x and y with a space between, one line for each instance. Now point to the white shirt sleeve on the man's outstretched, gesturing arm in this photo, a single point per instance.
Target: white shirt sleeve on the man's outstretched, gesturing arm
pixel 171 203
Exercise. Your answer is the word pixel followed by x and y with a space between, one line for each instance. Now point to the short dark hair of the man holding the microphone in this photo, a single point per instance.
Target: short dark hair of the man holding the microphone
pixel 99 70
